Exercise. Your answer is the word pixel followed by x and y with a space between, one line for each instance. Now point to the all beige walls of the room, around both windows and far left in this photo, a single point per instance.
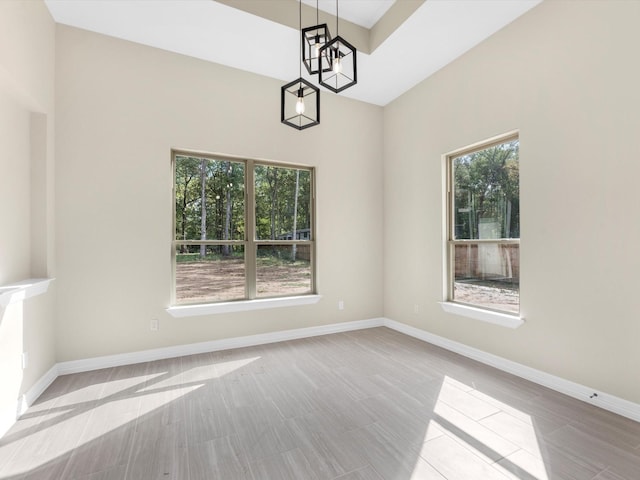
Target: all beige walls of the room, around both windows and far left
pixel 563 74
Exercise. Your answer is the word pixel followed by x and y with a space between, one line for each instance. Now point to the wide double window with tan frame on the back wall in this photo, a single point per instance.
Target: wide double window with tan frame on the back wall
pixel 243 229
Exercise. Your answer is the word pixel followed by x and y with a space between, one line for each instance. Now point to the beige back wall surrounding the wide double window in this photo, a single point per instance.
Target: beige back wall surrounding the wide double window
pixel 121 107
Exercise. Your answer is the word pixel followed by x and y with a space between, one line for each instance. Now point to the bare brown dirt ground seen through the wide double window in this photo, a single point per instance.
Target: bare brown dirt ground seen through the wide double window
pixel 223 280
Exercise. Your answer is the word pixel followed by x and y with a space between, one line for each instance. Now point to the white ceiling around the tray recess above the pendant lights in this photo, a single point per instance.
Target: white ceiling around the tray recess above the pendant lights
pixel 435 34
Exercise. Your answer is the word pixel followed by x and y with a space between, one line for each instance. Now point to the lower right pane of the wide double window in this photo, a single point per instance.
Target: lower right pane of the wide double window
pixel 283 270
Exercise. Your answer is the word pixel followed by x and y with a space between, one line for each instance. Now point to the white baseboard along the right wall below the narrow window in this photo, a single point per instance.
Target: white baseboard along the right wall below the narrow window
pixel 603 400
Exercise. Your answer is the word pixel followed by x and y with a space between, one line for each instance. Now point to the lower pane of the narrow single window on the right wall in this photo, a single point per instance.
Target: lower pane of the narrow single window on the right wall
pixel 488 275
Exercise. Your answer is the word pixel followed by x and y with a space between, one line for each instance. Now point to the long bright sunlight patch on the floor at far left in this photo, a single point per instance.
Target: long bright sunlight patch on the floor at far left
pixel 109 409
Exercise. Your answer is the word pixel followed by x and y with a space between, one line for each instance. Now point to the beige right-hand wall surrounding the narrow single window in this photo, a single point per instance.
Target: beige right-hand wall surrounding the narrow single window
pixel 566 75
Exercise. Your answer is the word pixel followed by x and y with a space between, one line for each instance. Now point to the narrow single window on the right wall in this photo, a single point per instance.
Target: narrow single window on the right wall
pixel 483 211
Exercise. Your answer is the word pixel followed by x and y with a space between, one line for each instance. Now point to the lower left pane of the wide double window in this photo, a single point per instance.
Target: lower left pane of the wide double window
pixel 209 273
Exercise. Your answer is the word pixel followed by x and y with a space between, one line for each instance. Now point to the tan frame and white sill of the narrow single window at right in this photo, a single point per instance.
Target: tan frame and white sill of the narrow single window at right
pixel 450 304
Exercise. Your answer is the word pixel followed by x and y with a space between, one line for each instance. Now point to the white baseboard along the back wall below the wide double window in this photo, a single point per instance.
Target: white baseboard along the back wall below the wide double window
pixel 76 366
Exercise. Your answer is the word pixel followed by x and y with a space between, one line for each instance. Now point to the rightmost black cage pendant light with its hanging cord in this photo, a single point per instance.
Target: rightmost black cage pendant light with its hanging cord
pixel 341 57
